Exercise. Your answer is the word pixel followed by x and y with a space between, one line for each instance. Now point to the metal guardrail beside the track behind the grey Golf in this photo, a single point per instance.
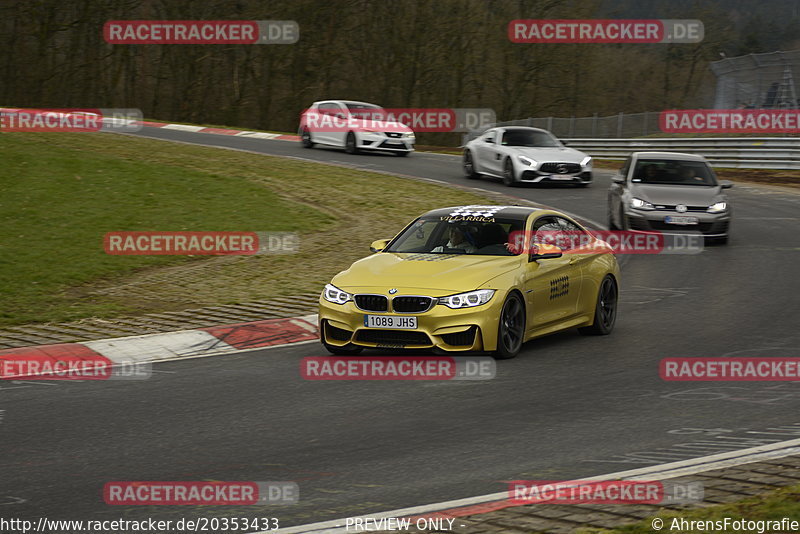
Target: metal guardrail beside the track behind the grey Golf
pixel 732 152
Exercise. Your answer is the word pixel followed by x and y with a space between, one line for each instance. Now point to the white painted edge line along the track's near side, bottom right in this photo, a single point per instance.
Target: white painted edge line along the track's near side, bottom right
pixel 655 472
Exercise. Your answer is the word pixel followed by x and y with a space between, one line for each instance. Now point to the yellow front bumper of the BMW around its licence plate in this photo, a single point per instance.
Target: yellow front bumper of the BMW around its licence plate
pixel 465 329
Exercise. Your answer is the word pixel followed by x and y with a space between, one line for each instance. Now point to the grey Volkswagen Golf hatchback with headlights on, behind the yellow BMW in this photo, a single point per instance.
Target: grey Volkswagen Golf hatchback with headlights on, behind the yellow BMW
pixel 669 192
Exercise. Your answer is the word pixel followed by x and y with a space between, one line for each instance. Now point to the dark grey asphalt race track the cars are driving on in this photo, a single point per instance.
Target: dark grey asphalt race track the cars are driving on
pixel 568 406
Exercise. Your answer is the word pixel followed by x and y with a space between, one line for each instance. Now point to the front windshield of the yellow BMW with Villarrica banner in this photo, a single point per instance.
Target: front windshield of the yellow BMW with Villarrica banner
pixel 455 235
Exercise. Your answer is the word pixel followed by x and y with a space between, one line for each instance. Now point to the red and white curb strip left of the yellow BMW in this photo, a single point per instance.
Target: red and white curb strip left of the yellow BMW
pixel 211 341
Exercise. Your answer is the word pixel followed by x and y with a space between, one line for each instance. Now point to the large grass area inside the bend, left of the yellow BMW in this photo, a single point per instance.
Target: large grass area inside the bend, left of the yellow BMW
pixel 60 193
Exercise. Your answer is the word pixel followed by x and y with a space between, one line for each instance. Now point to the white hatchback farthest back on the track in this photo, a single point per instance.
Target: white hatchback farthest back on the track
pixel 354 126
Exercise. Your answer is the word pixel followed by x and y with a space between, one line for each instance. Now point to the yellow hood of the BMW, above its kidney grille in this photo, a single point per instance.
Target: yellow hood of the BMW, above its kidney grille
pixel 441 274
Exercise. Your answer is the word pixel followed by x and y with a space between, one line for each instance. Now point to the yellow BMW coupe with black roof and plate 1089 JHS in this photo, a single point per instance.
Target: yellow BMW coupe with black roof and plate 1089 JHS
pixel 473 278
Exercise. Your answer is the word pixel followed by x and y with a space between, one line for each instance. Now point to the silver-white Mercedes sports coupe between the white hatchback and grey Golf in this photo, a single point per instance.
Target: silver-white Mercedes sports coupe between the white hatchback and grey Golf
pixel 519 154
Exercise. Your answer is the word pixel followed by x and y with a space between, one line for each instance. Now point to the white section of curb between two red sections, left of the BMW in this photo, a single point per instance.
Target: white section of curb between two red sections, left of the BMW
pixel 151 347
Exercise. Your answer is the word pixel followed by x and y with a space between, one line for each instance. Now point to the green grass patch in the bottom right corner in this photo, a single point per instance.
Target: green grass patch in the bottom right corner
pixel 774 506
